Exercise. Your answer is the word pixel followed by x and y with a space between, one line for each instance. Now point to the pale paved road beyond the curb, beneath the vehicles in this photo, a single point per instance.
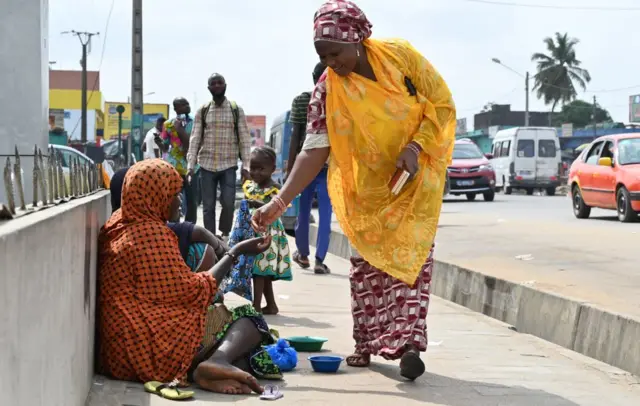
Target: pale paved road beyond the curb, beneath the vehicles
pixel 536 240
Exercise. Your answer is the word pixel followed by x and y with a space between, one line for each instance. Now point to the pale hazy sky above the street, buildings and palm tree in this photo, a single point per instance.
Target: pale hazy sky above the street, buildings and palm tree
pixel 265 48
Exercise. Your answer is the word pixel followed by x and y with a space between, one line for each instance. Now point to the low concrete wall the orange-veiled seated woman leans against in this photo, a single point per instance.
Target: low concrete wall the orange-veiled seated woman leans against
pixel 48 265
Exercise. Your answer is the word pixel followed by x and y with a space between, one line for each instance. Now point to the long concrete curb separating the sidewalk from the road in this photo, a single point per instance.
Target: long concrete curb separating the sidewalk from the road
pixel 571 323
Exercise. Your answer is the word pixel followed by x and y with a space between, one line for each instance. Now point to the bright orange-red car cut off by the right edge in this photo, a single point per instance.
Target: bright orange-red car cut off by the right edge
pixel 607 175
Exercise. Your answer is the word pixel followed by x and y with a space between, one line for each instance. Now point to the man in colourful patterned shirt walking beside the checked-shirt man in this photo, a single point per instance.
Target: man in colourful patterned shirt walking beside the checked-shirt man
pixel 175 136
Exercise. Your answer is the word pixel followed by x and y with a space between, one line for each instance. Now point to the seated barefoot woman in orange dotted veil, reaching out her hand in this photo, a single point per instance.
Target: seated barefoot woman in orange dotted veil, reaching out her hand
pixel 155 318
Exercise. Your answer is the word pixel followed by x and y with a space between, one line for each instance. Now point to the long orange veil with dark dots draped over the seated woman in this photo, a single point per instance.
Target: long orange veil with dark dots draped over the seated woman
pixel 152 307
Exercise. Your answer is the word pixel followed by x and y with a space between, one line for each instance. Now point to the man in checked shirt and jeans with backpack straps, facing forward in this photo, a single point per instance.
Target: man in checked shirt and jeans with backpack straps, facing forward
pixel 220 136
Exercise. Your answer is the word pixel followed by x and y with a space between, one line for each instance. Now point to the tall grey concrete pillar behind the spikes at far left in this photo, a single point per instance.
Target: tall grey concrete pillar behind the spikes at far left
pixel 24 74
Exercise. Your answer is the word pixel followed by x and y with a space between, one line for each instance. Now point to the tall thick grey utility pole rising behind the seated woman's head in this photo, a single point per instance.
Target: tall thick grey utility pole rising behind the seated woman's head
pixel 136 79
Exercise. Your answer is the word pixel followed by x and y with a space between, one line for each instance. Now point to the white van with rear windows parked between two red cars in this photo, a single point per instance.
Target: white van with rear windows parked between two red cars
pixel 527 158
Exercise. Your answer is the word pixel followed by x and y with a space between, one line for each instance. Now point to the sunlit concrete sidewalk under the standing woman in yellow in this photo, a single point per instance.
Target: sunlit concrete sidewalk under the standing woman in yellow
pixel 472 360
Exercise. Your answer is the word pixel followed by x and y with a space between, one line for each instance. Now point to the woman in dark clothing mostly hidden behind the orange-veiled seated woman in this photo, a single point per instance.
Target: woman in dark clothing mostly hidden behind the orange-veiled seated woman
pixel 199 248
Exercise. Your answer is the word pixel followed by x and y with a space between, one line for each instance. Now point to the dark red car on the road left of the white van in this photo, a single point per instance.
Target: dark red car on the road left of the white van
pixel 470 172
